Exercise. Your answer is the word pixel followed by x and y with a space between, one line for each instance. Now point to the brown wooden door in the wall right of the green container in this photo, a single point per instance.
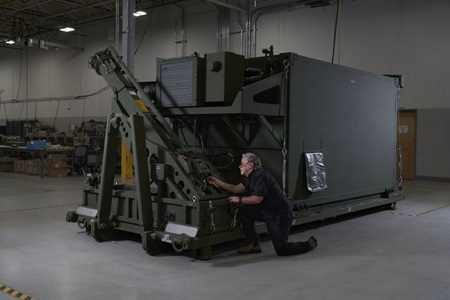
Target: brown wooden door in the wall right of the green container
pixel 407 140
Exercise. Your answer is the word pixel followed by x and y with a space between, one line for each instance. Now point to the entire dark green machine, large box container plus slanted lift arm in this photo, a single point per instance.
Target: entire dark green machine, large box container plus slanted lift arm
pixel 326 132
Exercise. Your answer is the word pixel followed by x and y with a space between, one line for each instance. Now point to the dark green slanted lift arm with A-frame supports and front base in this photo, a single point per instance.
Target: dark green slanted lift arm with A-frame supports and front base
pixel 182 209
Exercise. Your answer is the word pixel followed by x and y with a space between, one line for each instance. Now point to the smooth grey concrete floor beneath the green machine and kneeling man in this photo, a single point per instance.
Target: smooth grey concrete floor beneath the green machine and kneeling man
pixel 383 254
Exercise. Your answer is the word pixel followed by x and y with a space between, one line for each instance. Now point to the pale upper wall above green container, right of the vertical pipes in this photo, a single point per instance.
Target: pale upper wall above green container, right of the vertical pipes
pixel 408 37
